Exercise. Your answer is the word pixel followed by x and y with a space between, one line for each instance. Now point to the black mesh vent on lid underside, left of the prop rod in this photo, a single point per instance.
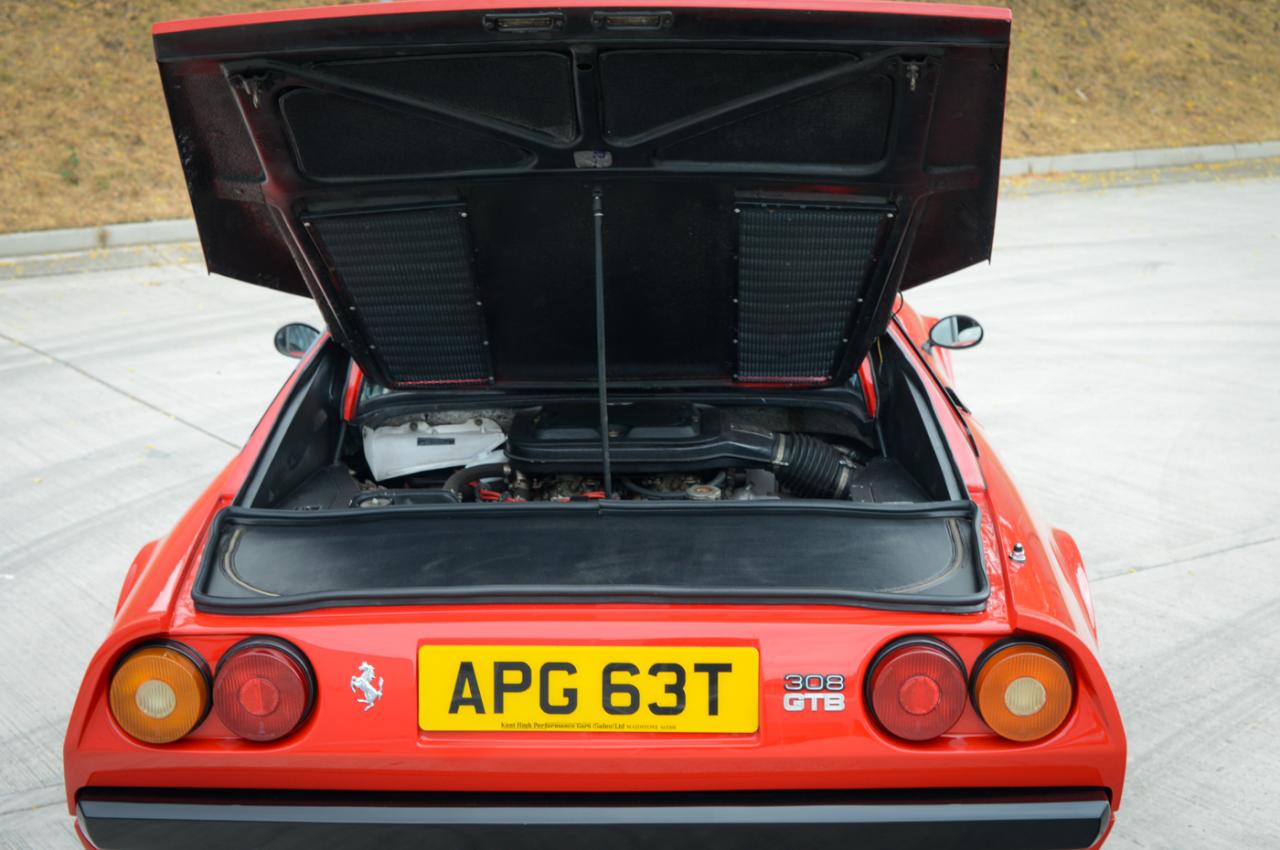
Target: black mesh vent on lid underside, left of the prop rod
pixel 409 277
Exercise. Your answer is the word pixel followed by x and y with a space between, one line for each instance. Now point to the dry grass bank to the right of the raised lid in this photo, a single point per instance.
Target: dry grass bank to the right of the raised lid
pixel 1116 75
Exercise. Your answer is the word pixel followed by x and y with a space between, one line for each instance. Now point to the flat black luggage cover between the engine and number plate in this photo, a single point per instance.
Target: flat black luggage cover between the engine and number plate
pixel 920 557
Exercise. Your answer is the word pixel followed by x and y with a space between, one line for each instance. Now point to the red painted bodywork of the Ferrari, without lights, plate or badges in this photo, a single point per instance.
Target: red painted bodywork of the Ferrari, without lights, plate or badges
pixel 344 748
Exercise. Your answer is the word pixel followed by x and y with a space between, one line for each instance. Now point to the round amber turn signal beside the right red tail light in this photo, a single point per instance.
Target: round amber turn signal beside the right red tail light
pixel 1023 692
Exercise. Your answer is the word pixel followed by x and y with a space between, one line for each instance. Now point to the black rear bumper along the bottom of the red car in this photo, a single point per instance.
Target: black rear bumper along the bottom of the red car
pixel 1025 821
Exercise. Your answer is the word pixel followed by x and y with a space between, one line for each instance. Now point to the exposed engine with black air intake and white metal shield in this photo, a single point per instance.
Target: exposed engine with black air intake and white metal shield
pixel 671 451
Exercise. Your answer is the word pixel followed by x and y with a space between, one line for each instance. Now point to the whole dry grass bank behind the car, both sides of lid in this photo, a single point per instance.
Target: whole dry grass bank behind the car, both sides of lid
pixel 85 139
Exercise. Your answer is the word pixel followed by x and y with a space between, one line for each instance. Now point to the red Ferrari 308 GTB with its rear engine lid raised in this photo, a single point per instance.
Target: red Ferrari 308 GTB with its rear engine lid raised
pixel 624 502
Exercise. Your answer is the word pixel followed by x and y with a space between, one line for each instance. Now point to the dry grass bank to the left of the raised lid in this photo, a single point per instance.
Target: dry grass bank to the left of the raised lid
pixel 86 136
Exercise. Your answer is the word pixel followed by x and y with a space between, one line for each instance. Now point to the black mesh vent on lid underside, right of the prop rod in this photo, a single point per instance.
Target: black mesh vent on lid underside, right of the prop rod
pixel 801 275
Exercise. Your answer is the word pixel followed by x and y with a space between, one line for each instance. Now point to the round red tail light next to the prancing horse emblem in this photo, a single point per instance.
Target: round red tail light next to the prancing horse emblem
pixel 263 689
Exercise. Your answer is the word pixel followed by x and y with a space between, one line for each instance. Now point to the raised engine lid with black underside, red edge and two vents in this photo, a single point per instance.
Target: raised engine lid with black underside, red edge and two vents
pixel 767 177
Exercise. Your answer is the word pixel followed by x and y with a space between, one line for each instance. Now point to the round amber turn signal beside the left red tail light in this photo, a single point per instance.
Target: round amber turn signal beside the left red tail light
pixel 159 693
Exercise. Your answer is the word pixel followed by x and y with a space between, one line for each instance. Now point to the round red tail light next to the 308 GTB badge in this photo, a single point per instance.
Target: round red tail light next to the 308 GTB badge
pixel 917 689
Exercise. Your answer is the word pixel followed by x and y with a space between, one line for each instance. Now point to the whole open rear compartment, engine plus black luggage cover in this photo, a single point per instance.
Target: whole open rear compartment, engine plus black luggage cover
pixel 502 496
